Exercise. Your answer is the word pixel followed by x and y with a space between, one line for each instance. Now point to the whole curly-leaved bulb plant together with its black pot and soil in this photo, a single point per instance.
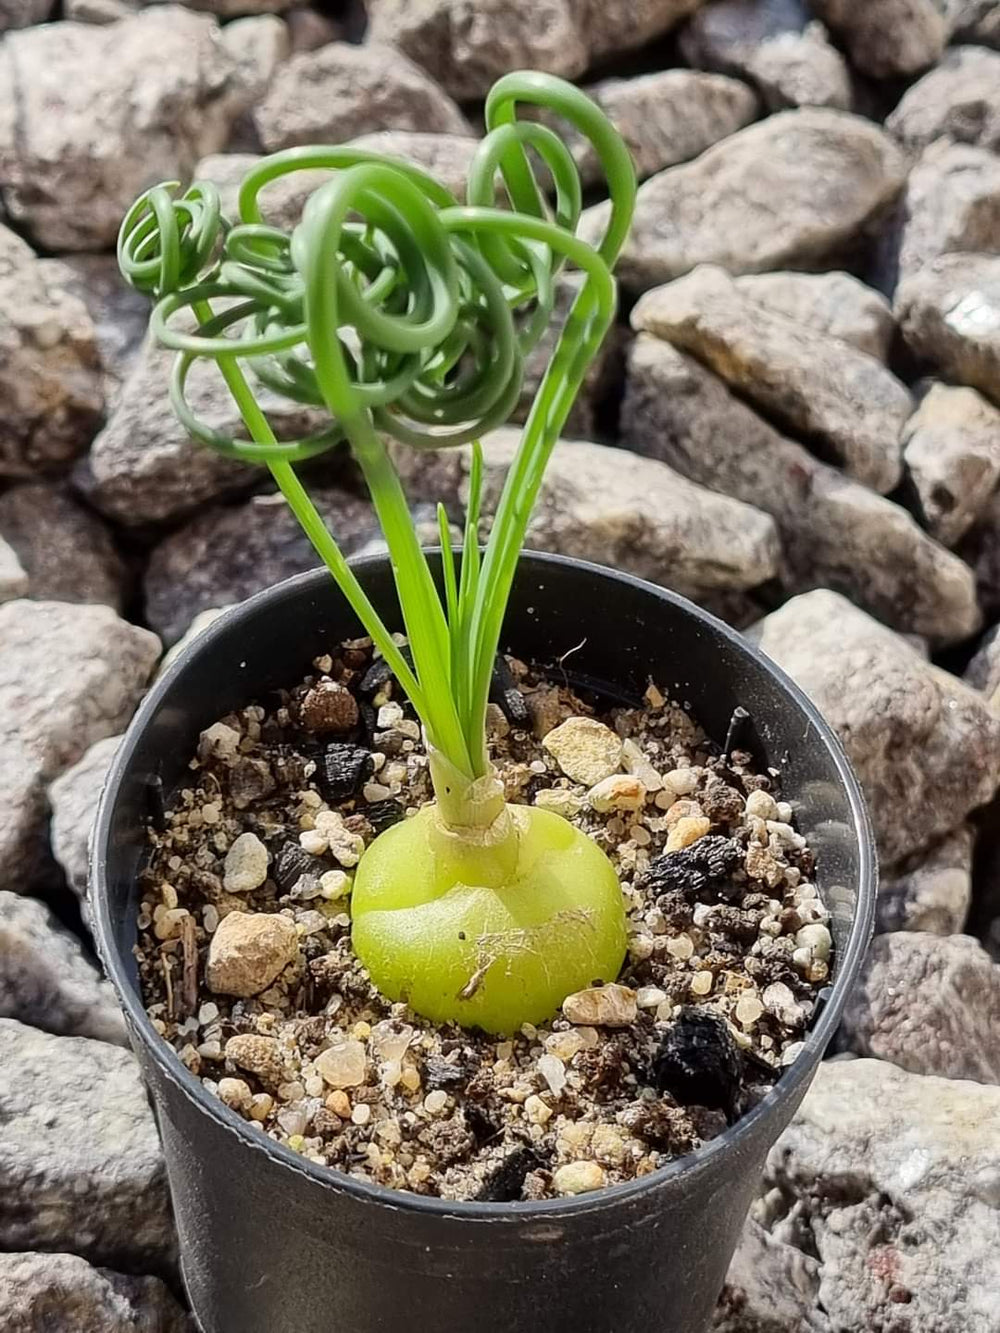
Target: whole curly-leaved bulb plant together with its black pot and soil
pixel 569 956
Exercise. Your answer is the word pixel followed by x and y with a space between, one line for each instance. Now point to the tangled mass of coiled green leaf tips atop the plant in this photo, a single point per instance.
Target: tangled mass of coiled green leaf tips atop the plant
pixel 390 298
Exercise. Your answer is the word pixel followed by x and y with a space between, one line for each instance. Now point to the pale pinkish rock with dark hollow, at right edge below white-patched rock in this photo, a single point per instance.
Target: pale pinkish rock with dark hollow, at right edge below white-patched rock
pixel 953 457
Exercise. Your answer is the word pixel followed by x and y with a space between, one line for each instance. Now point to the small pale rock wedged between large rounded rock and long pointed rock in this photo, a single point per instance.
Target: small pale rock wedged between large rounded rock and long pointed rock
pixel 829 303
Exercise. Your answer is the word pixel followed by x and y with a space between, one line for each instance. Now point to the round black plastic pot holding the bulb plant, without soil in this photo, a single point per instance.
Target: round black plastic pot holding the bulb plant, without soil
pixel 273 1244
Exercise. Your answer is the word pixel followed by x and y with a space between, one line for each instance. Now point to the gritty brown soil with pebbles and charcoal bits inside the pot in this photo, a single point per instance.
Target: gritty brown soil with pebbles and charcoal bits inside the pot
pixel 246 960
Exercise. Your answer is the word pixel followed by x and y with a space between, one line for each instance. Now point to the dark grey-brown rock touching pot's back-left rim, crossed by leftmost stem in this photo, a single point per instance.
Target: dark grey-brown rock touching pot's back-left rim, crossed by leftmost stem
pixel 229 554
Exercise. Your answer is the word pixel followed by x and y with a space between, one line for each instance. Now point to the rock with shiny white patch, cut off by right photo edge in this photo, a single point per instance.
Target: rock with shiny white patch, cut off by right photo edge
pixel 950 315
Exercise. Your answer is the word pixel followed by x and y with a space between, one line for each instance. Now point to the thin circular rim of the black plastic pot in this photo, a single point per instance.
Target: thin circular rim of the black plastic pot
pixel 686 1168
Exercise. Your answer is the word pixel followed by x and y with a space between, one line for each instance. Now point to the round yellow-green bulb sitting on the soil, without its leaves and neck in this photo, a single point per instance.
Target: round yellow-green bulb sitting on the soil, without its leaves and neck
pixel 487 936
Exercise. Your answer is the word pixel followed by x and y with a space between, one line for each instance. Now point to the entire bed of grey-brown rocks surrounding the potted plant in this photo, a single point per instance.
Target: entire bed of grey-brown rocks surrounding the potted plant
pixel 797 423
